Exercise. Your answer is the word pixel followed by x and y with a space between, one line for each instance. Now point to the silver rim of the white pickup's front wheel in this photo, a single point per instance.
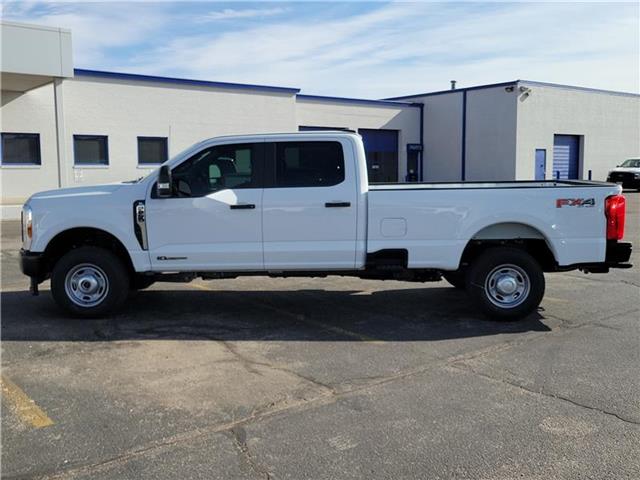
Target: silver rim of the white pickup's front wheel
pixel 86 285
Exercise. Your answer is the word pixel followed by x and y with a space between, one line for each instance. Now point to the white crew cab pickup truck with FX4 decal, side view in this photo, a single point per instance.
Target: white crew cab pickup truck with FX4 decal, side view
pixel 300 204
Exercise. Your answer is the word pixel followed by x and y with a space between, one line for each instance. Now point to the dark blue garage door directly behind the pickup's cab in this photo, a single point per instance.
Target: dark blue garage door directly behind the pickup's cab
pixel 381 149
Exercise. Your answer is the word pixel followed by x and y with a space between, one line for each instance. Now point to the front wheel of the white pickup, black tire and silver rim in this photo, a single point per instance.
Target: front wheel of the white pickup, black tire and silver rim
pixel 99 270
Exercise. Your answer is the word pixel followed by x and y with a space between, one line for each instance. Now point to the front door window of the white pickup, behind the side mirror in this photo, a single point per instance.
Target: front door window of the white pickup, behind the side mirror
pixel 217 168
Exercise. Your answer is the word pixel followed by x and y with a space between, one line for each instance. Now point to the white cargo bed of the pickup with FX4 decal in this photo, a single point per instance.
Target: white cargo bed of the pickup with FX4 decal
pixel 434 222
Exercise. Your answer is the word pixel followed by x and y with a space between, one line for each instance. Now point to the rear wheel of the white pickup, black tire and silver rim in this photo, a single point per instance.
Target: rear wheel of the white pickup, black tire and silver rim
pixel 517 270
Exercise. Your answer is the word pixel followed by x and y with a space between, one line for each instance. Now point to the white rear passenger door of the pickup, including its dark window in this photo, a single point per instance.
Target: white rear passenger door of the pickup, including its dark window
pixel 310 205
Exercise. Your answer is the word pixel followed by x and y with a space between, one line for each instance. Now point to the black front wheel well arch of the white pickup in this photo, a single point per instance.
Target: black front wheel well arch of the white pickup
pixel 76 237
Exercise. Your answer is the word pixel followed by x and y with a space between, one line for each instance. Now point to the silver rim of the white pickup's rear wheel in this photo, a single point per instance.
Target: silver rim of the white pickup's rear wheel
pixel 507 286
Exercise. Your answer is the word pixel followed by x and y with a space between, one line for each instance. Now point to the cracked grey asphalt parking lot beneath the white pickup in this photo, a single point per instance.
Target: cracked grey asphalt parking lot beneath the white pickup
pixel 323 379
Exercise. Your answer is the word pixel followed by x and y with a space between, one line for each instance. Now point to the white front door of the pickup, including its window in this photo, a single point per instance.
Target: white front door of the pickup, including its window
pixel 213 220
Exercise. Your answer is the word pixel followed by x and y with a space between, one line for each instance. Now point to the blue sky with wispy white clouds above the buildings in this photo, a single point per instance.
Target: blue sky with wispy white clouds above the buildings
pixel 358 49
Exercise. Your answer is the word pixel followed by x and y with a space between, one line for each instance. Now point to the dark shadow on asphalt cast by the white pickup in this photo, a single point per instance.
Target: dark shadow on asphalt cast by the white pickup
pixel 418 314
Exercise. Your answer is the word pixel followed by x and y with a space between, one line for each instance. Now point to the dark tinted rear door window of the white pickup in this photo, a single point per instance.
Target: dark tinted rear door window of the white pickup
pixel 309 164
